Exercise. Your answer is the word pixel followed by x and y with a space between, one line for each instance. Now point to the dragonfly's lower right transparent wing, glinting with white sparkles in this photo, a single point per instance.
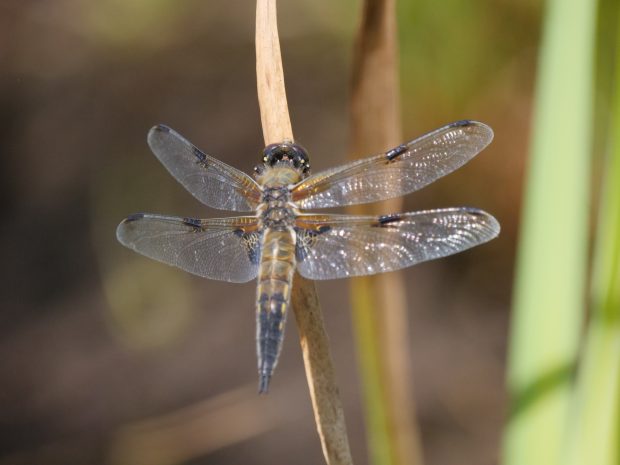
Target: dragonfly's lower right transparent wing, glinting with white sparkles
pixel 338 246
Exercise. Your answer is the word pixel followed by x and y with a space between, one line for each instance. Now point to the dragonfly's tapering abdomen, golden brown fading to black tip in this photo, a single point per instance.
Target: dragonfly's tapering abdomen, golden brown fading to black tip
pixel 275 278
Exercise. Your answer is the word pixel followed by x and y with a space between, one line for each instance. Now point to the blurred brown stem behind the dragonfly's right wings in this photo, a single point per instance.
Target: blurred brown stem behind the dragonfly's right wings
pixel 379 302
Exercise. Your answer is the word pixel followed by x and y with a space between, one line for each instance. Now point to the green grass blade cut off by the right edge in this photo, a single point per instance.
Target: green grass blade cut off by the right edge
pixel 594 433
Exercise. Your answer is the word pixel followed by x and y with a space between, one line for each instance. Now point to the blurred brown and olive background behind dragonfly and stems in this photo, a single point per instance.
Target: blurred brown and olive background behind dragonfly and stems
pixel 107 357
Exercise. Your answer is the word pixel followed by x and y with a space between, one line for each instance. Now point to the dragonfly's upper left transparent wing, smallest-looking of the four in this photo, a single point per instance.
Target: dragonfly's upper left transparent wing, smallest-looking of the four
pixel 211 181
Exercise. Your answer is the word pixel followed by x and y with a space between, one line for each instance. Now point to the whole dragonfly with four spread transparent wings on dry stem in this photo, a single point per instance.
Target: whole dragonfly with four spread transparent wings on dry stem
pixel 280 236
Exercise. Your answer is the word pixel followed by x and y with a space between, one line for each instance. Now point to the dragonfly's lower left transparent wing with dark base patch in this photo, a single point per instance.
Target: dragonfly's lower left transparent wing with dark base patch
pixel 227 249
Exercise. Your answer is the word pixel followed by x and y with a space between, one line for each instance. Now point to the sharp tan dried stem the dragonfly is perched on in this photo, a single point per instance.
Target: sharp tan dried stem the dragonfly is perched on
pixel 328 412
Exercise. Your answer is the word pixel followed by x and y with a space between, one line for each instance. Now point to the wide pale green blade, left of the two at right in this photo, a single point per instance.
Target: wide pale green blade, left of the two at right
pixel 549 296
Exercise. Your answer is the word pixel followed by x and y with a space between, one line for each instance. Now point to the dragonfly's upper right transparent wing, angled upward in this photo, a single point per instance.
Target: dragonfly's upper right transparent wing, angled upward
pixel 399 171
